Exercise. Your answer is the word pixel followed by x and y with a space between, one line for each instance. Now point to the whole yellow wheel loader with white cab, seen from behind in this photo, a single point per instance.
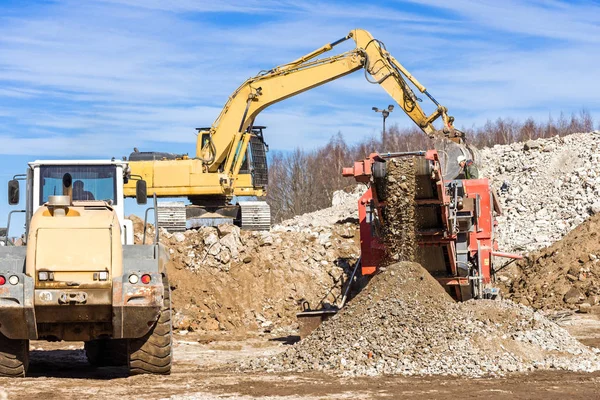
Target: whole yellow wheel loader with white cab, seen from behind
pixel 79 276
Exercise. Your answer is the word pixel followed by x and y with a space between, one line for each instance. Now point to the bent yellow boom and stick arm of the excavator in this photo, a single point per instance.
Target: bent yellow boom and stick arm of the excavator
pixel 228 135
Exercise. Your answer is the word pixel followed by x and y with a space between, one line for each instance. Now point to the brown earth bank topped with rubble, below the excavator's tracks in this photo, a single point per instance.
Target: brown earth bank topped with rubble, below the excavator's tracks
pixel 227 279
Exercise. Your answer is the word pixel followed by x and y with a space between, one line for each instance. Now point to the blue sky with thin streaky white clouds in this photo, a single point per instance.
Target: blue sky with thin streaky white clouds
pixel 95 78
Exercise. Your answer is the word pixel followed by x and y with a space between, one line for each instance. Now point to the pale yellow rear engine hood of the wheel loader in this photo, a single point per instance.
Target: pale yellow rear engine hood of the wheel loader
pixel 76 246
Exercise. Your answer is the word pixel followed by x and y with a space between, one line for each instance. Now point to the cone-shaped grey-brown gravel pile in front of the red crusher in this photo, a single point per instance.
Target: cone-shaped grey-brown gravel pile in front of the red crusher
pixel 405 323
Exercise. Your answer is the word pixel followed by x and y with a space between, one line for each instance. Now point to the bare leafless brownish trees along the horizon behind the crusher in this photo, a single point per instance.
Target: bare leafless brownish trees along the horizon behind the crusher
pixel 302 181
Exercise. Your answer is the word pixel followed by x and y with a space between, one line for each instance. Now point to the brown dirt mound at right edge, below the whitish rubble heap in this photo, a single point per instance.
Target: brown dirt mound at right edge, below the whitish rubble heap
pixel 561 276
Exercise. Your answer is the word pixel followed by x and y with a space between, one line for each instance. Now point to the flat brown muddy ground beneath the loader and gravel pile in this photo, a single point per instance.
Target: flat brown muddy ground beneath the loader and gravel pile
pixel 202 371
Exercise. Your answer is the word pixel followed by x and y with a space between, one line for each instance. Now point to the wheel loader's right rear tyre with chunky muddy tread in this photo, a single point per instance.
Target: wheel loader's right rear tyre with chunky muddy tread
pixel 151 354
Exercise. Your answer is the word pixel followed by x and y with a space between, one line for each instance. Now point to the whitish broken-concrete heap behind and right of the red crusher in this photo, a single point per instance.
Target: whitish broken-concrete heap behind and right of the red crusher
pixel 549 186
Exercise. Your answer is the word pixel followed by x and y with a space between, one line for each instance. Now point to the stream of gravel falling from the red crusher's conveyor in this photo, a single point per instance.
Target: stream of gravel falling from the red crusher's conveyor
pixel 399 230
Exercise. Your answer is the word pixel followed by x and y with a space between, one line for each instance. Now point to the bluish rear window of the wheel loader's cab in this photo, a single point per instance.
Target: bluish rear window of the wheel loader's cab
pixel 90 182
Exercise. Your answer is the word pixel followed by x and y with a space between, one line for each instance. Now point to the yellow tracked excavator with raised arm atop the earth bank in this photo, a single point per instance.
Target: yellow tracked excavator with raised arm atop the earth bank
pixel 230 158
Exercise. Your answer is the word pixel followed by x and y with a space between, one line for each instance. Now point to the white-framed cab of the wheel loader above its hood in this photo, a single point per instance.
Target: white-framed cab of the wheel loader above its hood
pixel 92 180
